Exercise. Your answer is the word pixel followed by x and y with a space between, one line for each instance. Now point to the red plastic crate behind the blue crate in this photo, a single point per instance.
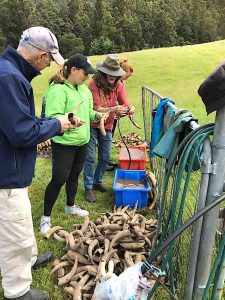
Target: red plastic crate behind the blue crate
pixel 138 158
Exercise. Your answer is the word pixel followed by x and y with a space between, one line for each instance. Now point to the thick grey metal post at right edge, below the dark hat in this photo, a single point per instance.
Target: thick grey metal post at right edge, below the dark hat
pixel 209 224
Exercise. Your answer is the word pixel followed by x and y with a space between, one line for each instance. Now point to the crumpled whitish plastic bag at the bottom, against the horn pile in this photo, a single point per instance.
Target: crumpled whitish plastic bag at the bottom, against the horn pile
pixel 122 287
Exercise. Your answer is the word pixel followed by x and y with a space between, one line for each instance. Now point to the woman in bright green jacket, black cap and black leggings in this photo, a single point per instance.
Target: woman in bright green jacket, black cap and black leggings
pixel 67 93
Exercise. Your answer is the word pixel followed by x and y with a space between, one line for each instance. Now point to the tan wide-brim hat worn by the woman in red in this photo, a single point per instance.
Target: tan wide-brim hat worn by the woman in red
pixel 111 66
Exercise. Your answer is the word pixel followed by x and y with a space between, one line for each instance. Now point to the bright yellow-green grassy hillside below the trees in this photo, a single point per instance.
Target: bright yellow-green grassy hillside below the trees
pixel 173 72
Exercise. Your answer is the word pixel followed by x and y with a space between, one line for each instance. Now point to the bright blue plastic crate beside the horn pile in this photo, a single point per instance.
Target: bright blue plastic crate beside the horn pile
pixel 126 196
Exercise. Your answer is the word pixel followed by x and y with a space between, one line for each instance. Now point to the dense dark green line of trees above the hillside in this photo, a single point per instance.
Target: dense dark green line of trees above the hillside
pixel 109 26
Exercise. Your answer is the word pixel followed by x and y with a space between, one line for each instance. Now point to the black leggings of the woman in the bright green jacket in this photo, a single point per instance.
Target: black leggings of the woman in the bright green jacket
pixel 67 164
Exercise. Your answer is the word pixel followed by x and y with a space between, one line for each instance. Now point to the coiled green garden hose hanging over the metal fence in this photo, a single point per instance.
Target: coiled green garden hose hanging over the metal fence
pixel 190 145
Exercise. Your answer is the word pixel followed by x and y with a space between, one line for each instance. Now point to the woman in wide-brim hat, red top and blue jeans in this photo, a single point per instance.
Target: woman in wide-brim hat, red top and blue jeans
pixel 109 97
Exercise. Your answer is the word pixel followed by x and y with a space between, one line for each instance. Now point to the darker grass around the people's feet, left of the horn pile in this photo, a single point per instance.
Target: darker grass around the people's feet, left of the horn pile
pixel 42 177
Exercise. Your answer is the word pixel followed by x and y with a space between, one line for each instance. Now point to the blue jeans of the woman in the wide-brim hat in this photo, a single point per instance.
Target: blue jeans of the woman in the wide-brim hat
pixel 92 175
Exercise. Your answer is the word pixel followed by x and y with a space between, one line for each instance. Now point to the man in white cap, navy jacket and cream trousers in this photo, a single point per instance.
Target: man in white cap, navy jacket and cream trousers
pixel 20 132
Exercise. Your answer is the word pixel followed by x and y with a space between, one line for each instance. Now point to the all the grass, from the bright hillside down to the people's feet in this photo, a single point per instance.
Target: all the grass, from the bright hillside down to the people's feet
pixel 172 72
